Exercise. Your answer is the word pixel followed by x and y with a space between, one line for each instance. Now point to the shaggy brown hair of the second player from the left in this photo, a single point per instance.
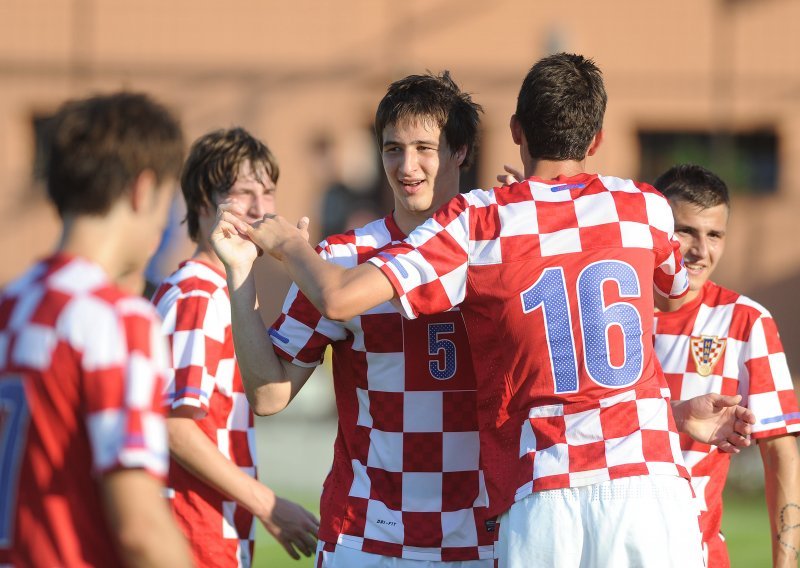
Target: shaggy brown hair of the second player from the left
pixel 213 165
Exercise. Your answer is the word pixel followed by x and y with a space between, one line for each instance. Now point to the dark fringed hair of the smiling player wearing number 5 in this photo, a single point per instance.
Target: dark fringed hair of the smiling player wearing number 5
pixel 434 98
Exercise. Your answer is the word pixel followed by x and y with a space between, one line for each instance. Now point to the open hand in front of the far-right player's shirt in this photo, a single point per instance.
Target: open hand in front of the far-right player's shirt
pixel 717 420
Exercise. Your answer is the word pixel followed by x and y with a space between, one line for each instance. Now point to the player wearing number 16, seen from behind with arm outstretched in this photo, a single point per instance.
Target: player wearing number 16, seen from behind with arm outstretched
pixel 554 277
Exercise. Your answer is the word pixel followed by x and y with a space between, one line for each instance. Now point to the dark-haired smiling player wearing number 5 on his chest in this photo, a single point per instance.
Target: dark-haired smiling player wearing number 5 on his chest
pixel 405 488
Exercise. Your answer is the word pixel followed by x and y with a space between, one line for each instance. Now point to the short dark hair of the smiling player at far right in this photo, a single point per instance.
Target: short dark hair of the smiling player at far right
pixel 694 184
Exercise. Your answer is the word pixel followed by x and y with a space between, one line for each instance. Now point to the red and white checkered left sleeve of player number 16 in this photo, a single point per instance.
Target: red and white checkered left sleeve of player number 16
pixel 428 270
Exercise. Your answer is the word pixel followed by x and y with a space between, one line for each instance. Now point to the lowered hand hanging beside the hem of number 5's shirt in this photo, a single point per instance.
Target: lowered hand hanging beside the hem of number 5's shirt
pixel 292 526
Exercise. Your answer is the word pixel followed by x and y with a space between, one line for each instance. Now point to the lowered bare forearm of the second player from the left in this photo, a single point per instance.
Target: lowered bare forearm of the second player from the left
pixel 190 446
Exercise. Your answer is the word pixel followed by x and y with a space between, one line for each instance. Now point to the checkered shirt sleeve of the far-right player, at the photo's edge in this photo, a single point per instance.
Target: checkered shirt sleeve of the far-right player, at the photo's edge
pixel 765 381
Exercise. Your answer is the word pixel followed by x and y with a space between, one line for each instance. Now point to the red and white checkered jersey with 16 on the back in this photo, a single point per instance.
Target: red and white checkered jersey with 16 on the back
pixel 555 281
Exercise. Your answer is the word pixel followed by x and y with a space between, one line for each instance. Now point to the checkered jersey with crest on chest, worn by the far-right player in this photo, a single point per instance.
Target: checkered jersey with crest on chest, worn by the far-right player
pixel 725 343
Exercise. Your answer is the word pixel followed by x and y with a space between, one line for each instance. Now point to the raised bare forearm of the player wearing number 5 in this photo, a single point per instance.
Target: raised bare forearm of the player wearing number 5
pixel 263 373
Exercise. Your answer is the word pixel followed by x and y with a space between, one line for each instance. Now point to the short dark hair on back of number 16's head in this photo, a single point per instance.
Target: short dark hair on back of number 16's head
pixel 560 106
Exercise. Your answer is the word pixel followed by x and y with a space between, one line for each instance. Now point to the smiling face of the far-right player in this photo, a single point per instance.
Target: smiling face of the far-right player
pixel 701 232
